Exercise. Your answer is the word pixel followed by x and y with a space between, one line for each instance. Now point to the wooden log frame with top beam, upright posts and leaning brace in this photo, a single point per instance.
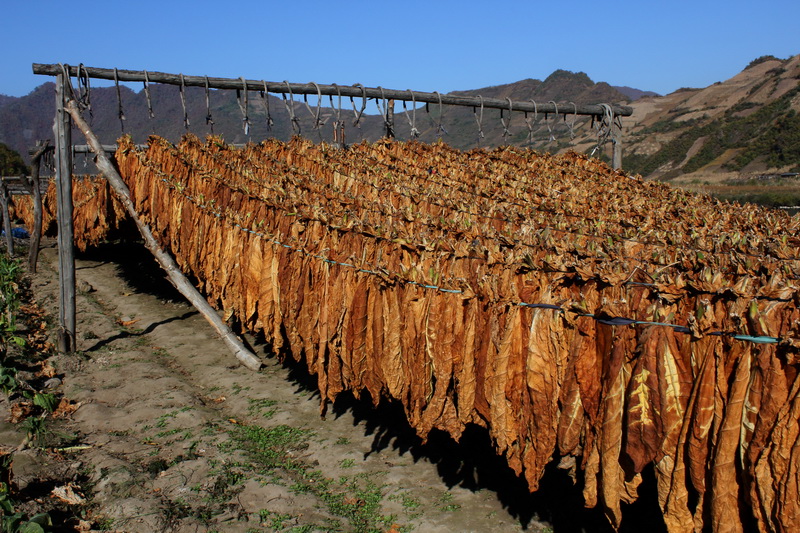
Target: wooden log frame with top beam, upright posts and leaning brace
pixel 67 111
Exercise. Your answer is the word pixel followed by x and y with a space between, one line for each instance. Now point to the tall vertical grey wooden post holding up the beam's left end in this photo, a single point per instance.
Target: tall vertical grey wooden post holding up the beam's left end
pixel 62 130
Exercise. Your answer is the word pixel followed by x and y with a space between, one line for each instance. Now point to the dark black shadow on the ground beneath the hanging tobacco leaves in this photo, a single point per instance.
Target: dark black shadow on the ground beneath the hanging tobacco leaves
pixel 470 463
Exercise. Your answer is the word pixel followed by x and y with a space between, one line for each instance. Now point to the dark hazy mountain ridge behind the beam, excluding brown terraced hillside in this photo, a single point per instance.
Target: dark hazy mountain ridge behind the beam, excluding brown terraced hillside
pixel 25 119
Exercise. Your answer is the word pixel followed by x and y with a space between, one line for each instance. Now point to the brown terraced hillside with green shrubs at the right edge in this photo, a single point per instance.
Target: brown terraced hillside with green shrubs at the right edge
pixel 742 127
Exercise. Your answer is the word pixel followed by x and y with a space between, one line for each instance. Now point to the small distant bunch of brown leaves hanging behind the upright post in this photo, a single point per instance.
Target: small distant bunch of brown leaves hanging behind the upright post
pixel 98 215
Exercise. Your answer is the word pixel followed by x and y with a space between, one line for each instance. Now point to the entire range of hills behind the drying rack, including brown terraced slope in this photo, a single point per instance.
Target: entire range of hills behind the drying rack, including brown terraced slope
pixel 742 127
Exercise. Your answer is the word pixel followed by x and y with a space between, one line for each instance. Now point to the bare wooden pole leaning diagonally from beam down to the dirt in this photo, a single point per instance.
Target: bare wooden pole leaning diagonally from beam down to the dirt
pixel 166 261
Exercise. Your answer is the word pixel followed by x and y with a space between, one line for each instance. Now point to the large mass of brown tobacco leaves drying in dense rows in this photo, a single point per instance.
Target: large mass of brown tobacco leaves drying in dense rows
pixel 577 313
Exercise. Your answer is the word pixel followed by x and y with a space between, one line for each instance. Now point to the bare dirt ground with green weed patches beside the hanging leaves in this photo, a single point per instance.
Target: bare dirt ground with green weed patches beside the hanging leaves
pixel 172 434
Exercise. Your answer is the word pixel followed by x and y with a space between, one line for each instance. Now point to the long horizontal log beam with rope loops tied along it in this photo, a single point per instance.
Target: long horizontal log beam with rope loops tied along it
pixel 354 91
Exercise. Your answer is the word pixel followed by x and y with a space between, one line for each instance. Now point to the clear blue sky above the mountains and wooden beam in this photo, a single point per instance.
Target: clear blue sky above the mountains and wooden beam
pixel 426 46
